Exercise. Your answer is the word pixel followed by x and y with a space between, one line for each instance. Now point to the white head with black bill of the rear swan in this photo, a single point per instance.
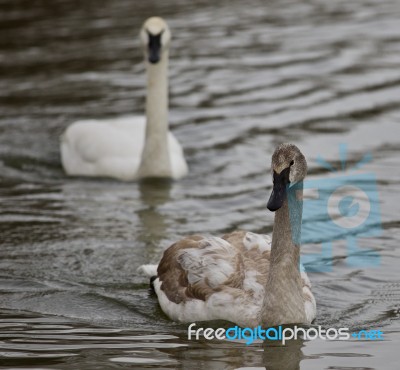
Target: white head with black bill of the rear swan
pixel 155 36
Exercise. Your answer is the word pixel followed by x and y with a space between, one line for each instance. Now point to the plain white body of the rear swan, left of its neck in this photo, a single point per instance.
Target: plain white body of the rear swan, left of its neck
pixel 109 148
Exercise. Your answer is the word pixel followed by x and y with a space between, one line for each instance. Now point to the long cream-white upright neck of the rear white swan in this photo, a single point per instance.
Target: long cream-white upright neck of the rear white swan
pixel 156 156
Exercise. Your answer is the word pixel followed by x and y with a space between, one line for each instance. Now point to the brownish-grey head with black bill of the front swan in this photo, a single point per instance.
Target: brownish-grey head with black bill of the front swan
pixel 288 167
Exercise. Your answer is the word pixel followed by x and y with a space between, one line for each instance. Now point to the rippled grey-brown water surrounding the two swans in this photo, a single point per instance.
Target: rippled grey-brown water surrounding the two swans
pixel 244 76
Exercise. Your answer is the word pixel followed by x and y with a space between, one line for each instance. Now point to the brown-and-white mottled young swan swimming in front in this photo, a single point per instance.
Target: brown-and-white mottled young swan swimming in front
pixel 242 277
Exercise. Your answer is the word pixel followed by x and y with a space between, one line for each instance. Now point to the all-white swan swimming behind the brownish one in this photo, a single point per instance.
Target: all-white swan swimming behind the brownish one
pixel 129 148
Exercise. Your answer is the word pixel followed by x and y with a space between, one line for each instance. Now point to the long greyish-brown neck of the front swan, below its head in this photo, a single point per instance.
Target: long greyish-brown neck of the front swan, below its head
pixel 284 284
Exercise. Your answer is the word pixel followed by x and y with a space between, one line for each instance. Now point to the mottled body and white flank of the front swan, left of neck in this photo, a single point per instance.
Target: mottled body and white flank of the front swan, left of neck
pixel 208 278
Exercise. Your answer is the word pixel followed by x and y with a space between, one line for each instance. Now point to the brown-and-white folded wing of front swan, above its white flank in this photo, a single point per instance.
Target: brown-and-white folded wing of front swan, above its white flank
pixel 197 267
